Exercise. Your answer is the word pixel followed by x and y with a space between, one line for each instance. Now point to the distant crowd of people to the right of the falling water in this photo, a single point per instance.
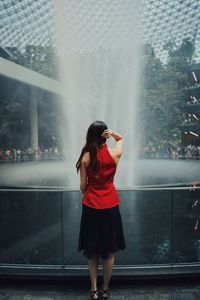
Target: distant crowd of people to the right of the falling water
pixel 165 150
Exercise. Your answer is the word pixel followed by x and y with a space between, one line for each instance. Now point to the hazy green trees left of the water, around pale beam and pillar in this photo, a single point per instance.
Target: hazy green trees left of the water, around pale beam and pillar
pixel 15 99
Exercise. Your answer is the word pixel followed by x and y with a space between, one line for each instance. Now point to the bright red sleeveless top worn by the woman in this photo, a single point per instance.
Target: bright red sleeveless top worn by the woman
pixel 101 192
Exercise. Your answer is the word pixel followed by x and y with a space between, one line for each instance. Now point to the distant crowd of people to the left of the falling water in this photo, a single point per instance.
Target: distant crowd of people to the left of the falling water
pixel 19 155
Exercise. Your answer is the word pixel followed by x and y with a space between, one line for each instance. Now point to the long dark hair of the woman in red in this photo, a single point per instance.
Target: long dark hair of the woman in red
pixel 93 141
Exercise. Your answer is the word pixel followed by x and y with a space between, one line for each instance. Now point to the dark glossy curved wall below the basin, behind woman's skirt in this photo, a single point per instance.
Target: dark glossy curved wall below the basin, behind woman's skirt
pixel 40 228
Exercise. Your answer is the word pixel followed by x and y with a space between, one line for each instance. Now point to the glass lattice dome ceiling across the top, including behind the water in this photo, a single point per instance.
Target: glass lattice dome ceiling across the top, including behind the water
pixel 92 24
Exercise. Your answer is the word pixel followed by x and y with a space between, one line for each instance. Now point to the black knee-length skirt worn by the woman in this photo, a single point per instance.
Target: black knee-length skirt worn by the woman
pixel 101 232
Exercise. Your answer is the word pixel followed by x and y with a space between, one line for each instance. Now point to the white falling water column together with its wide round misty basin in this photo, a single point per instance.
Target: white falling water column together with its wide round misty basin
pixel 100 51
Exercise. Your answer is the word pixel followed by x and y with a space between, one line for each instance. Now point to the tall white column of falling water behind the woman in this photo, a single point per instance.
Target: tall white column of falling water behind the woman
pixel 99 49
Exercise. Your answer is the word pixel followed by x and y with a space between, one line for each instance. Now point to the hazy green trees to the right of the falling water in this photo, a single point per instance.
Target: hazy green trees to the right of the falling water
pixel 164 91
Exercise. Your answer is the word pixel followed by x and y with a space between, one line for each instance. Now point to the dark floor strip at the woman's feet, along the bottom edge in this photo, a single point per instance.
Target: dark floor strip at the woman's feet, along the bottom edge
pixel 185 289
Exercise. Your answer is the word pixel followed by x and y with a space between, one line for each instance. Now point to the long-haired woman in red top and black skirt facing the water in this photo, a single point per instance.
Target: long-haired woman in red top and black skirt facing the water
pixel 101 232
